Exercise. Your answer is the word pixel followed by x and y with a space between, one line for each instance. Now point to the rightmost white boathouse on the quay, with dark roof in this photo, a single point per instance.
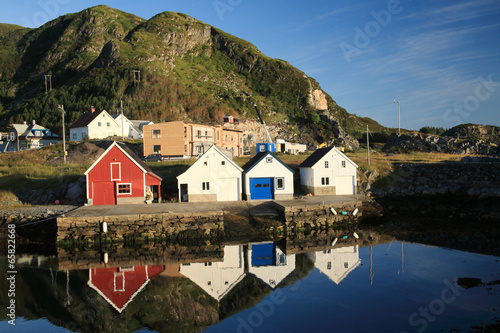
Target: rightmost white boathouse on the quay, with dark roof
pixel 328 172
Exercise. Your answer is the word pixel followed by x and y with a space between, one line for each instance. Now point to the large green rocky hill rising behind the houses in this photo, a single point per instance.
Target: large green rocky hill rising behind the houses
pixel 171 67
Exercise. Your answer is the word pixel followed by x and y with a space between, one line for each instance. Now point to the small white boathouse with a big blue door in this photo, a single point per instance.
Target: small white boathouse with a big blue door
pixel 266 177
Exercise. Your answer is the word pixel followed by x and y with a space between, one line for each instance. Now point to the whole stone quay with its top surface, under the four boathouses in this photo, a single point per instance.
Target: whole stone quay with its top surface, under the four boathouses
pixel 163 220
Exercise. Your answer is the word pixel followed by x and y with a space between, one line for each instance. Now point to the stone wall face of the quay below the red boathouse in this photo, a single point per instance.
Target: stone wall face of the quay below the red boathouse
pixel 150 226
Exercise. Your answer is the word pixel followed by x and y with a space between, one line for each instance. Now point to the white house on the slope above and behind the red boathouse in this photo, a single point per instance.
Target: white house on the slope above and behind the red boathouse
pixel 94 125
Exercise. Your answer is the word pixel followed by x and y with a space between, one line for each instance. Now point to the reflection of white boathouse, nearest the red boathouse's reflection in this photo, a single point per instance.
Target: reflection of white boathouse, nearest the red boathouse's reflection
pixel 218 278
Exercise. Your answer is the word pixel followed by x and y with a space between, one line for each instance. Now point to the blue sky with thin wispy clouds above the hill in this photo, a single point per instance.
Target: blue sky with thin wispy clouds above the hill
pixel 439 58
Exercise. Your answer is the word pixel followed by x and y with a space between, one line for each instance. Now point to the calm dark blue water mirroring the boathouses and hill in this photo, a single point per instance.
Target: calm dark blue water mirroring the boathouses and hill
pixel 260 287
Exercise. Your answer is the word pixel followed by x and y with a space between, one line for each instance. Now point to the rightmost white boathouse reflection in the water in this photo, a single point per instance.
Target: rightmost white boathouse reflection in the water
pixel 336 263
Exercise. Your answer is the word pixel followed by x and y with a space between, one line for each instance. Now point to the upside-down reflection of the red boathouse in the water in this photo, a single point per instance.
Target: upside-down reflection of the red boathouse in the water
pixel 119 285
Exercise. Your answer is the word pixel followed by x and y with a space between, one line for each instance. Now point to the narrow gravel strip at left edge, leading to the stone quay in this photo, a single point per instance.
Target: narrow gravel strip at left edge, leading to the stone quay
pixel 33 213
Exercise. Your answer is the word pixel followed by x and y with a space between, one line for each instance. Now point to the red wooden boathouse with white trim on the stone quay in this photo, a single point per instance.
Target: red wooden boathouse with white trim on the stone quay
pixel 119 176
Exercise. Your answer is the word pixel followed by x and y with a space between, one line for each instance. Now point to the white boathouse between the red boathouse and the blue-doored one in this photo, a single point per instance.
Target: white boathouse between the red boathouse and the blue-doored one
pixel 213 177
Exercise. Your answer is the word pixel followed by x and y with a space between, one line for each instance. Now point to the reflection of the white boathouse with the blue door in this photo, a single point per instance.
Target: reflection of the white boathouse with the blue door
pixel 268 263
